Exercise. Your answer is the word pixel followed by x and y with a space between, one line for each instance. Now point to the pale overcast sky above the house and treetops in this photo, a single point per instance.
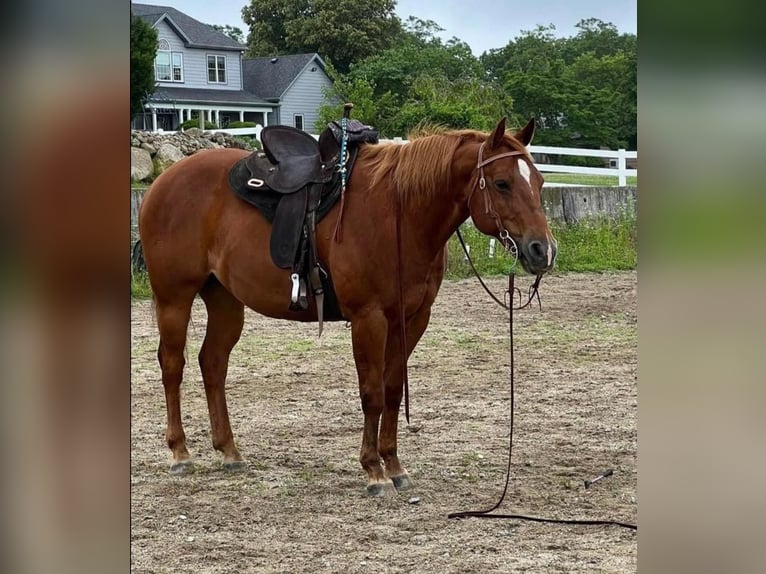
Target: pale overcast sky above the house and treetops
pixel 482 24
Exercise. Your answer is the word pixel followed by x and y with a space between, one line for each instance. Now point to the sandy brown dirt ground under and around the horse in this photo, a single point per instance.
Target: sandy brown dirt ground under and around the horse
pixel 296 416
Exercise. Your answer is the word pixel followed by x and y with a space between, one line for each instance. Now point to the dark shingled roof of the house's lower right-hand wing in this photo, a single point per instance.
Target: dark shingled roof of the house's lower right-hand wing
pixel 270 78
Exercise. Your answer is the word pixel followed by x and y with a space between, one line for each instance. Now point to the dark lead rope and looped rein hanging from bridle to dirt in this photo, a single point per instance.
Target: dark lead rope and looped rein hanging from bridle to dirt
pixel 487 513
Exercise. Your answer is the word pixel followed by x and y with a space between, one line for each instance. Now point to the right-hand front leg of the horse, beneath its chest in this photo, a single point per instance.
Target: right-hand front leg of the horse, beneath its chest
pixel 387 446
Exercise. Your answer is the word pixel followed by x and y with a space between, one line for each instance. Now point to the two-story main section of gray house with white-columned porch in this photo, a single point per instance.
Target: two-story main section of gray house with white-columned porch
pixel 198 72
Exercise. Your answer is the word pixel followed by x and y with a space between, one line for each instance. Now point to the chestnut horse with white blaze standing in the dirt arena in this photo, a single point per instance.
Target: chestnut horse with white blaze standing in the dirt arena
pixel 401 205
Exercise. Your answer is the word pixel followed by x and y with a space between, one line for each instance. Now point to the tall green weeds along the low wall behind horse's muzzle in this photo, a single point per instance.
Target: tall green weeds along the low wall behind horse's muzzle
pixel 589 245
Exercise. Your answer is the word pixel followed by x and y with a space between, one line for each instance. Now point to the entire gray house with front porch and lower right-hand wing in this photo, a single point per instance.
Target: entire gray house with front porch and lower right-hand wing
pixel 201 72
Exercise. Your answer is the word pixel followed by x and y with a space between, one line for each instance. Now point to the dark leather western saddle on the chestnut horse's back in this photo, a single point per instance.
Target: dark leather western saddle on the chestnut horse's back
pixel 294 182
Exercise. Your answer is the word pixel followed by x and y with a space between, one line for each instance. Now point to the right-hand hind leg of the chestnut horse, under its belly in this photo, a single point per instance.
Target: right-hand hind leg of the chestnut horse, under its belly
pixel 226 316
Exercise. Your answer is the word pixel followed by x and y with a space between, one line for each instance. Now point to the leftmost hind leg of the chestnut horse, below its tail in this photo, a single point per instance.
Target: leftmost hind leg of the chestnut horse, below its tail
pixel 172 322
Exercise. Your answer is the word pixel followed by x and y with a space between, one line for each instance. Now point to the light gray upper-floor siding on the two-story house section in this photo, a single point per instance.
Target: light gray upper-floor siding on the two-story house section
pixel 195 63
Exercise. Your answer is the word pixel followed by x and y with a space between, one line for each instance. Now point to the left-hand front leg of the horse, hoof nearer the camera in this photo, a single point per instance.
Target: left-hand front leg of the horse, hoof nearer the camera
pixel 368 336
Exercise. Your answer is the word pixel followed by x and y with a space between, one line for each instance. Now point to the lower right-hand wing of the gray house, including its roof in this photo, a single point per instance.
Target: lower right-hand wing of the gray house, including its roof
pixel 296 84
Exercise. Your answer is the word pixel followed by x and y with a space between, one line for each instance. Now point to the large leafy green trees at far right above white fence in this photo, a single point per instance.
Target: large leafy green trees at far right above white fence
pixel 581 90
